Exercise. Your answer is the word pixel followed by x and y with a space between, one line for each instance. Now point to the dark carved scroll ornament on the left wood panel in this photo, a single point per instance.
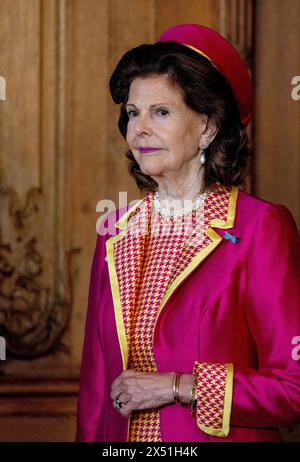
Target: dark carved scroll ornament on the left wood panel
pixel 32 316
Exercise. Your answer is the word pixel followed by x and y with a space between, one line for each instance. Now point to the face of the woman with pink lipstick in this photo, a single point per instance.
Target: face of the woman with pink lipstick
pixel 163 133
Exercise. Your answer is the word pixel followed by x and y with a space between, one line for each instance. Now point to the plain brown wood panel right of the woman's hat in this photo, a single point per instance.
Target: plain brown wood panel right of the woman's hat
pixel 277 122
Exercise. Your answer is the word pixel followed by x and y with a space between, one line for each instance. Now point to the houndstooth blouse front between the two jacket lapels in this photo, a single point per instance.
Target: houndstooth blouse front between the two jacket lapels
pixel 161 250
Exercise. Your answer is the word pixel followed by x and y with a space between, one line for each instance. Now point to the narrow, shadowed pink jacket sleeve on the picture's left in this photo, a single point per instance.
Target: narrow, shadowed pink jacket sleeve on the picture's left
pixel 92 369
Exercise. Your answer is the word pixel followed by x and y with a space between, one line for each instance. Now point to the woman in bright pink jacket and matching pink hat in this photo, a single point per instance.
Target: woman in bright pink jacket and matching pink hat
pixel 194 297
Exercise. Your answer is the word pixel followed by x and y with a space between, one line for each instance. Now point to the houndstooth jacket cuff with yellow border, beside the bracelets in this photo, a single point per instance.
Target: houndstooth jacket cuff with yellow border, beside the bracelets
pixel 213 393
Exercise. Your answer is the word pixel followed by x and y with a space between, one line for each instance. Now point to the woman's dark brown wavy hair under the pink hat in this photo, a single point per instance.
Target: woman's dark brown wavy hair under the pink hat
pixel 205 91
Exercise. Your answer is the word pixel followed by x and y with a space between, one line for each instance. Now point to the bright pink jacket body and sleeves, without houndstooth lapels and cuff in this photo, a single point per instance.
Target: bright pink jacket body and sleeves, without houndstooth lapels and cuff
pixel 240 304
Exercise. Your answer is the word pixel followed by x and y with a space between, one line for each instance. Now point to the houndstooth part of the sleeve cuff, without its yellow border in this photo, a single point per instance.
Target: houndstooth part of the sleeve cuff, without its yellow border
pixel 211 385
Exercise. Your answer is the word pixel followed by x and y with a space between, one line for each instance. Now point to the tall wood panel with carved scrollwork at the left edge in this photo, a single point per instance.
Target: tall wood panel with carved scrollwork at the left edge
pixel 35 270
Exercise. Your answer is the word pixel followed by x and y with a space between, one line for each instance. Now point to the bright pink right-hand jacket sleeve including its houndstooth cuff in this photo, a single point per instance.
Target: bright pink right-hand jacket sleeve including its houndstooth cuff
pixel 268 396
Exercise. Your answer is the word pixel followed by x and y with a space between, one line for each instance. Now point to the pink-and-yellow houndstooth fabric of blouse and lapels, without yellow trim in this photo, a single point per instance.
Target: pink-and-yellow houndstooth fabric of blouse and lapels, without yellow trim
pixel 148 260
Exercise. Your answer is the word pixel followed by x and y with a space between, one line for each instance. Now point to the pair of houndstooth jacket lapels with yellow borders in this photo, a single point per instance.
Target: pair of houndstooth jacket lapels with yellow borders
pixel 126 253
